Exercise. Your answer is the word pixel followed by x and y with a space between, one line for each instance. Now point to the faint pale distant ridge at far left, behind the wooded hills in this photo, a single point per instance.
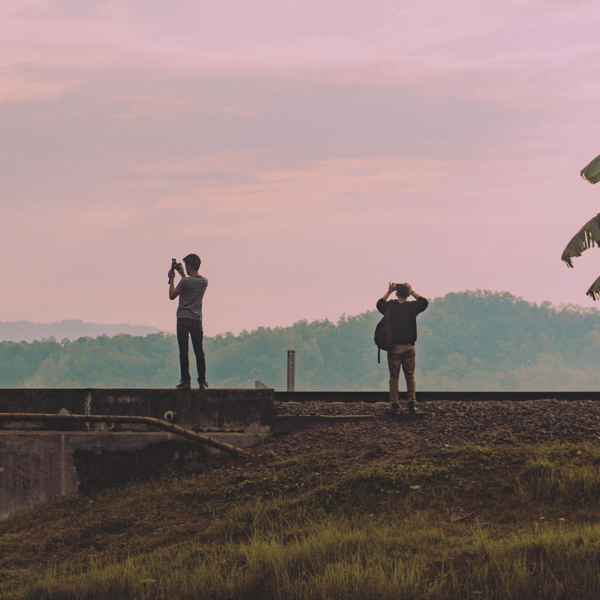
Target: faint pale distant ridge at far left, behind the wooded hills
pixel 72 329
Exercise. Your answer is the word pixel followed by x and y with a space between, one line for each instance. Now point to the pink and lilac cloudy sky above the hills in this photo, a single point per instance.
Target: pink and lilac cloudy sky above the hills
pixel 308 150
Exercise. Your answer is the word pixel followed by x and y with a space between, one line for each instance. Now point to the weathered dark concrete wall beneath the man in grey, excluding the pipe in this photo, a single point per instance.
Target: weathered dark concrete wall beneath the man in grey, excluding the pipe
pixel 38 465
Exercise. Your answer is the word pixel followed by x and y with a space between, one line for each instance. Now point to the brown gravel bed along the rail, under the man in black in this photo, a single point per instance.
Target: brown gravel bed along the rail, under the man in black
pixel 444 424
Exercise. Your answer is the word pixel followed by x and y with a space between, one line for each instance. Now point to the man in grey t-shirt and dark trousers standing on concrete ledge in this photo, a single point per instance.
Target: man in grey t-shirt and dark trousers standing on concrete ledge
pixel 190 290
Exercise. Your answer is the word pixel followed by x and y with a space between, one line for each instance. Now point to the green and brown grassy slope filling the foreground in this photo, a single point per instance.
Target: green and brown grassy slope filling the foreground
pixel 472 522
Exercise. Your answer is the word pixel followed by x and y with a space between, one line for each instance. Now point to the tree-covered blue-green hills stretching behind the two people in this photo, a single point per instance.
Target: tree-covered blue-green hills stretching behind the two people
pixel 469 341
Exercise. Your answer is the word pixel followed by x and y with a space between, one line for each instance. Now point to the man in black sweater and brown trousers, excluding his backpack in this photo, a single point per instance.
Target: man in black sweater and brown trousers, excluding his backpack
pixel 403 316
